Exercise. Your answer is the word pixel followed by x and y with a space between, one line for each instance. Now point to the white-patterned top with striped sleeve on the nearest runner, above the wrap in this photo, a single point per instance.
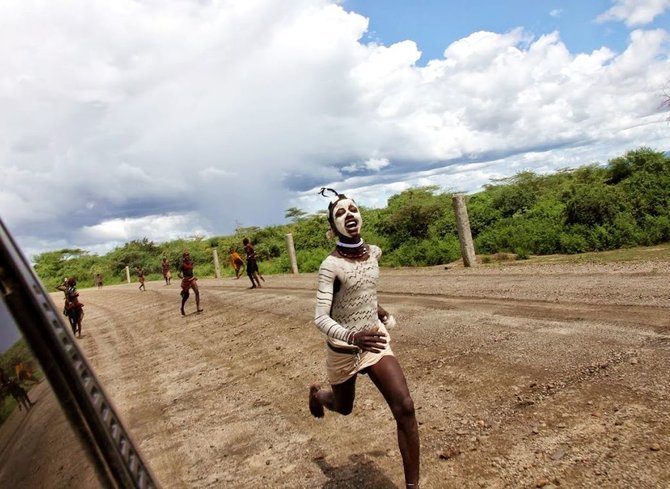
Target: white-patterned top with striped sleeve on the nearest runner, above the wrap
pixel 354 306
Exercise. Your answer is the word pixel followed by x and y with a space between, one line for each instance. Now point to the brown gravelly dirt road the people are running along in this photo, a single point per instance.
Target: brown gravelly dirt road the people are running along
pixel 522 376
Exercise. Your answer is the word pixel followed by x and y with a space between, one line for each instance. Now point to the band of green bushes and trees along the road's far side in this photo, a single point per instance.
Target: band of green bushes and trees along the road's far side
pixel 593 208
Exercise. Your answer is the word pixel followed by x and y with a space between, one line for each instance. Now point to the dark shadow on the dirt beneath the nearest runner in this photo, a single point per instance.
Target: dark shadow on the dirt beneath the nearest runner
pixel 360 473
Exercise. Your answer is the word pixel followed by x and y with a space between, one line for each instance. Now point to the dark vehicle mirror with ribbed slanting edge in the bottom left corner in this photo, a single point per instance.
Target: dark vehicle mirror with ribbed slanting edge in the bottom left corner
pixel 53 410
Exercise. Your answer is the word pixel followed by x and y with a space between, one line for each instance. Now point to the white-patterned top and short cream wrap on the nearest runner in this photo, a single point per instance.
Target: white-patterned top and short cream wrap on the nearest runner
pixel 352 308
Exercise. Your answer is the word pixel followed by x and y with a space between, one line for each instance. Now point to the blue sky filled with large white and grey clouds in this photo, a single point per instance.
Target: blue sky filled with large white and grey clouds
pixel 174 118
